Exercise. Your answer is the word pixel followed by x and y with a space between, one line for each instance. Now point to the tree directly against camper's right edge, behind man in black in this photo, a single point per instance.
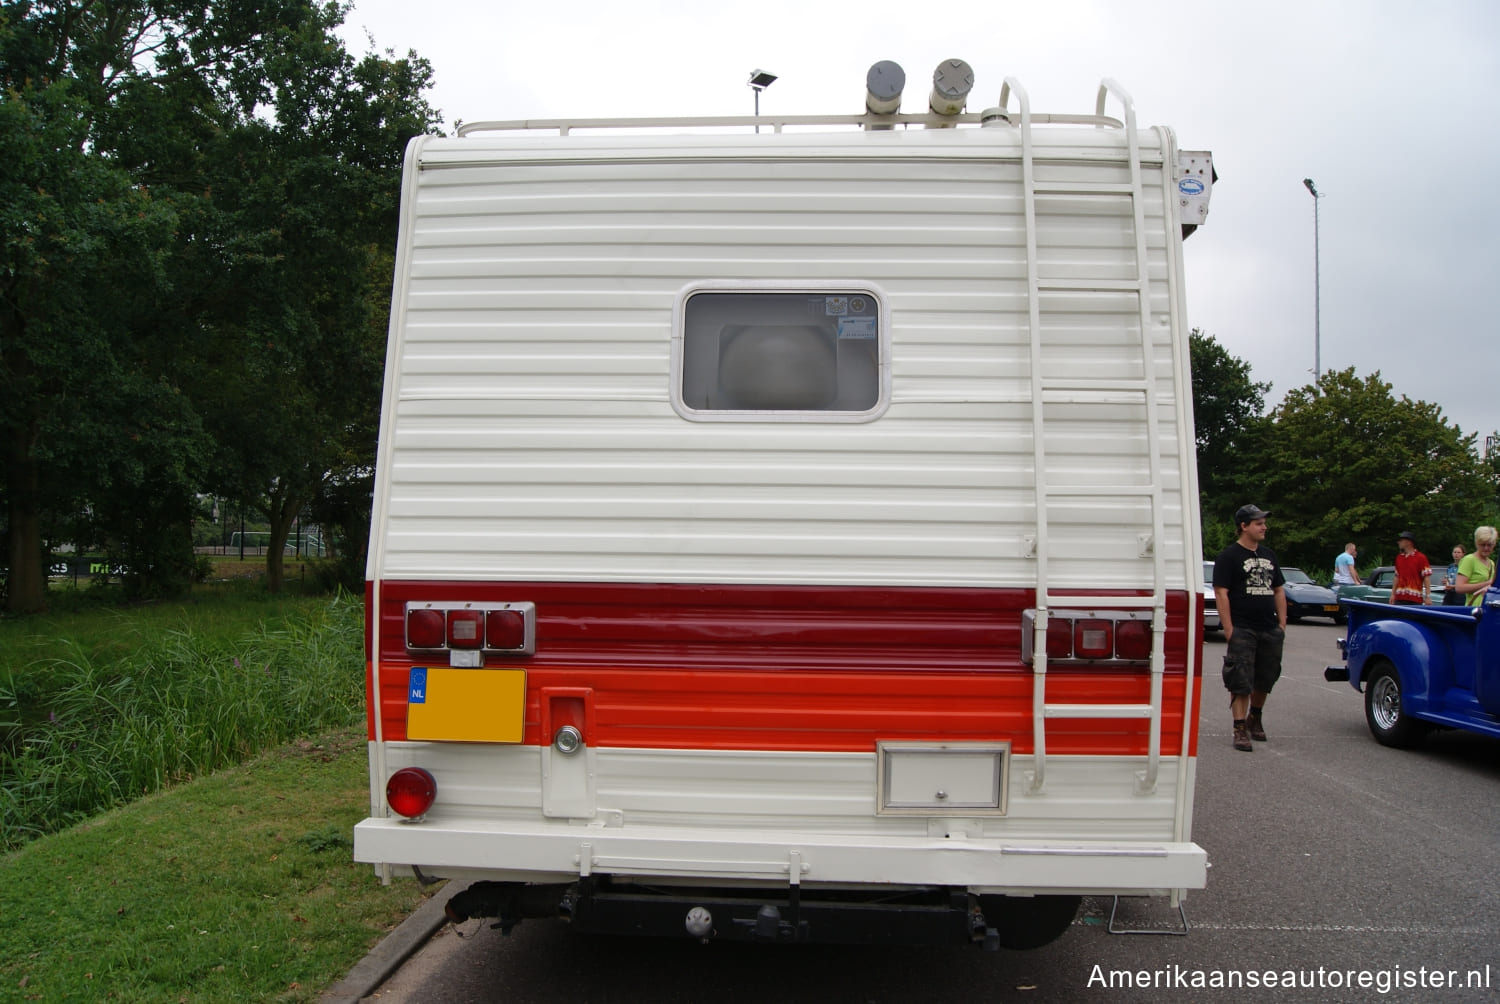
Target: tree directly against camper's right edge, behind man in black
pixel 1228 421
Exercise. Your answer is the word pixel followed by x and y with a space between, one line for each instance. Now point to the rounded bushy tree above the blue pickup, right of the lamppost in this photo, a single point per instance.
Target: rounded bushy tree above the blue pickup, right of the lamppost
pixel 1346 460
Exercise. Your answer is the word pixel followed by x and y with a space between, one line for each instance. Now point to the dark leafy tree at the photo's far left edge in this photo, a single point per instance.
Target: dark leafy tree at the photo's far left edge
pixel 82 269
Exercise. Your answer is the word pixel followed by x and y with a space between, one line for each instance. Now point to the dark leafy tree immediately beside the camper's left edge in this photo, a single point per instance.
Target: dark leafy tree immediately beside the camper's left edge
pixel 316 199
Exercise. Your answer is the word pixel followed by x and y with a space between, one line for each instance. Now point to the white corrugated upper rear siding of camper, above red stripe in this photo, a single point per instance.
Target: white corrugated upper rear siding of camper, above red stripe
pixel 530 431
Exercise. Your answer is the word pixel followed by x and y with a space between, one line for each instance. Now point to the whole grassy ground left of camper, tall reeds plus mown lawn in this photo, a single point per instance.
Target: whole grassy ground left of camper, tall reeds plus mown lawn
pixel 179 784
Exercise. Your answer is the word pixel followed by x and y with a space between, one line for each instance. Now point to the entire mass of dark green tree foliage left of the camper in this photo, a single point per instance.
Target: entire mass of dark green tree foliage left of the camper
pixel 196 200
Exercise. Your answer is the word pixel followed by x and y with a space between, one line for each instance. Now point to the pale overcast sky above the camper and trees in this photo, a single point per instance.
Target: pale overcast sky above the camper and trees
pixel 1391 110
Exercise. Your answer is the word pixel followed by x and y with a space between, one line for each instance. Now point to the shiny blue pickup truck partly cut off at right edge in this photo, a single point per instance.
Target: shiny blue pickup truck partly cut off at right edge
pixel 1424 667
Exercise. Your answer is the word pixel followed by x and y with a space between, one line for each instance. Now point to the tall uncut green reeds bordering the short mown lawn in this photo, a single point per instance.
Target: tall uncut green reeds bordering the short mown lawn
pixel 94 727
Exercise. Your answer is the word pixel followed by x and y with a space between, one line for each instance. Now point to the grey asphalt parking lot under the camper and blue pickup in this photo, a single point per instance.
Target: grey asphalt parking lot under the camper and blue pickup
pixel 1352 871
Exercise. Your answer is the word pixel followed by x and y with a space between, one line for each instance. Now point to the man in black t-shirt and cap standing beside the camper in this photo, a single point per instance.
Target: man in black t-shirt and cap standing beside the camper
pixel 1253 612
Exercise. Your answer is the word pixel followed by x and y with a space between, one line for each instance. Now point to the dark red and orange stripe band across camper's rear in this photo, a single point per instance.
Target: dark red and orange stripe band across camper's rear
pixel 794 669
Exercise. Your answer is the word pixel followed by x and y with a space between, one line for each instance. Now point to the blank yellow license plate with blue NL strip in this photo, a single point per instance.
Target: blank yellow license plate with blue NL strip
pixel 467 706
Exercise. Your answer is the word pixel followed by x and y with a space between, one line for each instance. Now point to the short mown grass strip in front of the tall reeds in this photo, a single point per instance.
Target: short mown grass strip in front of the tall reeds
pixel 238 886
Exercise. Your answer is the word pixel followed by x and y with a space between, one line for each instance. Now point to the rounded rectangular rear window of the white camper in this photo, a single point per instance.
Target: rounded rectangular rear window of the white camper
pixel 772 353
